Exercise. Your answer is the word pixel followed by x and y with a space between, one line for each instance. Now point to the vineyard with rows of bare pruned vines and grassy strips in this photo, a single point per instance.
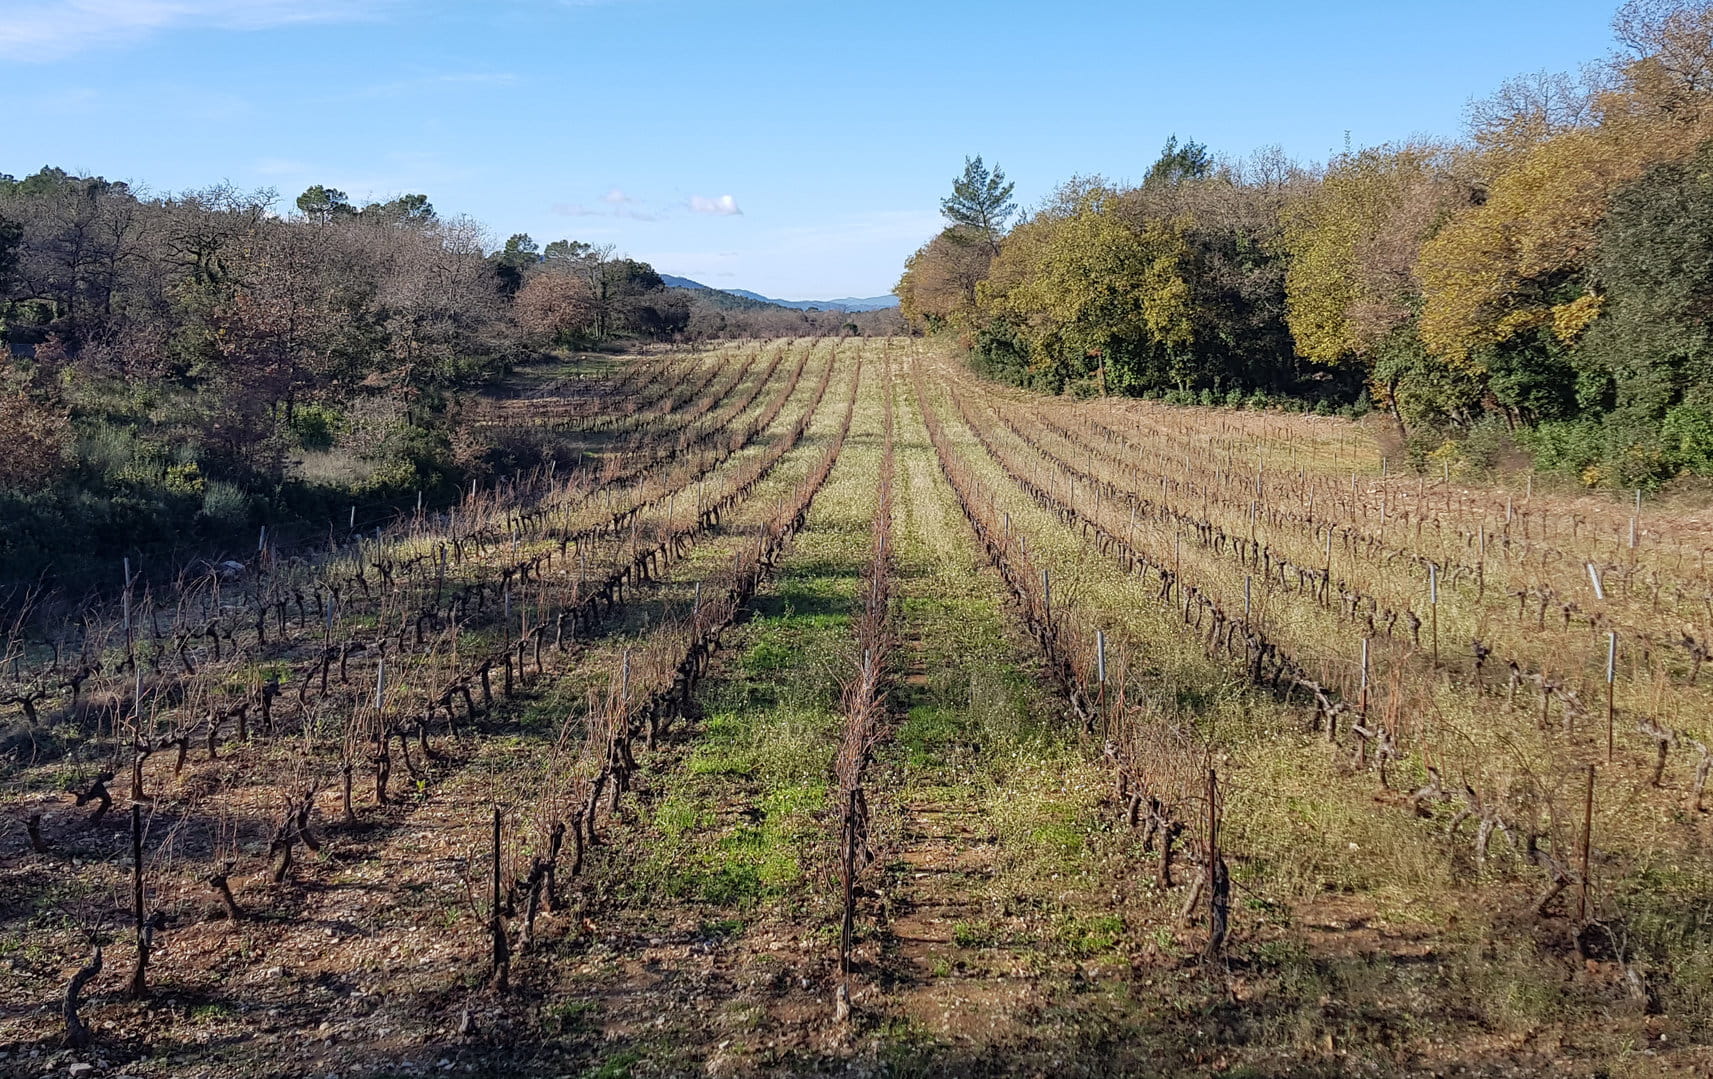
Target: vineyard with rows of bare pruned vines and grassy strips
pixel 837 712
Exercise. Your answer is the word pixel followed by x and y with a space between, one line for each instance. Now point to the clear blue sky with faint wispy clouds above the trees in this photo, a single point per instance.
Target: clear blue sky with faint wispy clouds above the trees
pixel 796 150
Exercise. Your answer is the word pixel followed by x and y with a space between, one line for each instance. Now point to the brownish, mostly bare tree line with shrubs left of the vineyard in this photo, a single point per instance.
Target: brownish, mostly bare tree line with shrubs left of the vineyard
pixel 189 366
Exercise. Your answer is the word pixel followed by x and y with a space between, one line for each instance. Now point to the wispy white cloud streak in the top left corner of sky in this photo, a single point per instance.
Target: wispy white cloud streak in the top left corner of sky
pixel 51 30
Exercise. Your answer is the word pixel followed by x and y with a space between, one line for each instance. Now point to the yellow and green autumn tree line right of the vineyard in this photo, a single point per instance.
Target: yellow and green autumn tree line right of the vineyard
pixel 1543 280
